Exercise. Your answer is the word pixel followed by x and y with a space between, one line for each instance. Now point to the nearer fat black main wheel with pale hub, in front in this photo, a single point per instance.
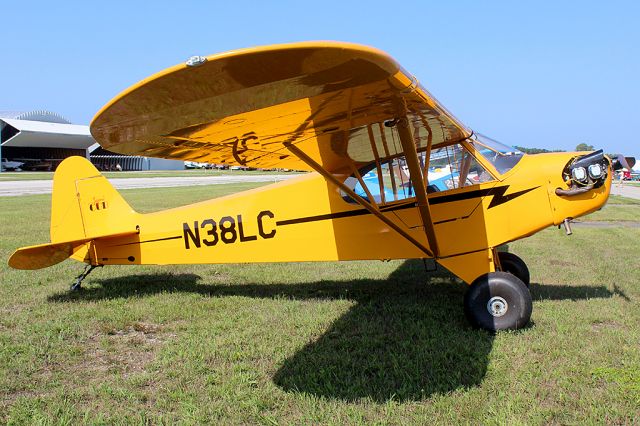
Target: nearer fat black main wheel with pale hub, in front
pixel 498 301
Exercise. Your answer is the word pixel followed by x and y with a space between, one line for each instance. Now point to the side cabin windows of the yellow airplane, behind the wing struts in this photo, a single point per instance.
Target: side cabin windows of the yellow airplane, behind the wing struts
pixel 449 168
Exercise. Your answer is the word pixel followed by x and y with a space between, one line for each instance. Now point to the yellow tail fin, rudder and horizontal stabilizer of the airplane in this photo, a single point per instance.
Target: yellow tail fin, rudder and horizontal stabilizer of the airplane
pixel 84 207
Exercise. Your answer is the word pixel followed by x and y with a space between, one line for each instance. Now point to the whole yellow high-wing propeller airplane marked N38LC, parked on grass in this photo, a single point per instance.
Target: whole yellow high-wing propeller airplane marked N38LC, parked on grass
pixel 396 175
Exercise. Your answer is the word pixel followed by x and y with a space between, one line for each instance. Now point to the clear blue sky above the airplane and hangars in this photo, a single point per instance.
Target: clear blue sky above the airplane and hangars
pixel 547 74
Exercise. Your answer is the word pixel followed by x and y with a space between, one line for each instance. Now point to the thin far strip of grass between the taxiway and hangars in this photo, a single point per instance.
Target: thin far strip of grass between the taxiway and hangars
pixel 13 176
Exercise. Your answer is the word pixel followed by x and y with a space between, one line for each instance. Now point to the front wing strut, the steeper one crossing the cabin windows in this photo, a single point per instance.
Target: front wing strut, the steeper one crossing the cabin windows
pixel 419 188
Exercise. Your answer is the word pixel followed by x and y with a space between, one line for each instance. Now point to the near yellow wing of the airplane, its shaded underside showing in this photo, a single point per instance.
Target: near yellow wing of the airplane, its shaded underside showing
pixel 334 101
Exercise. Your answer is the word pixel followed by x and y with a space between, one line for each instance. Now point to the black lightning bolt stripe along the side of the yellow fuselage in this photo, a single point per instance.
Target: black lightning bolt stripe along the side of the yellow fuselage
pixel 497 192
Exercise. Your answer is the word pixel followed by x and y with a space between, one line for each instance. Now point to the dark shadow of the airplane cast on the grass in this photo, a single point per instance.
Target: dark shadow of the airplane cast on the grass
pixel 405 339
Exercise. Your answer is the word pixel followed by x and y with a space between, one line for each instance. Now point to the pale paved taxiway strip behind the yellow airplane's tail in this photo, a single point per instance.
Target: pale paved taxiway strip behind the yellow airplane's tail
pixel 29 187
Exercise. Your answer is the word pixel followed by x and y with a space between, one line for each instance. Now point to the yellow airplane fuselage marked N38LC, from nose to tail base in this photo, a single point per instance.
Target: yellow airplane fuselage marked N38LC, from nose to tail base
pixel 308 219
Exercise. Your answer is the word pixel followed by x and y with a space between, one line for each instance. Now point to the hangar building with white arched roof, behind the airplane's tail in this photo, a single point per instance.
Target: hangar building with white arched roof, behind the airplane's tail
pixel 42 139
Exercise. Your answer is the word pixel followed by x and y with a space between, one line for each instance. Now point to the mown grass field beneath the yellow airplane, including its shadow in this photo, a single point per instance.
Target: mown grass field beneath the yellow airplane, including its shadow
pixel 352 342
